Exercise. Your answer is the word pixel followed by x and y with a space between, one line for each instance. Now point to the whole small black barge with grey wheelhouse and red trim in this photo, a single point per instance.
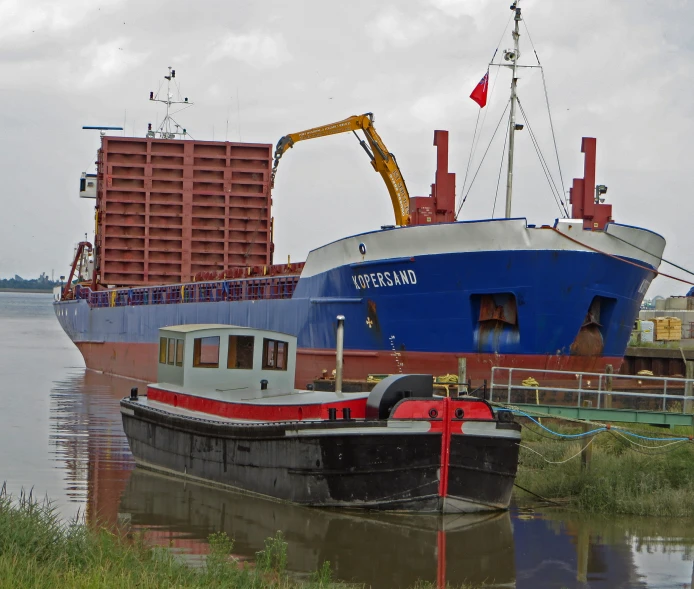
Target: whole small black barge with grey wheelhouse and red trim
pixel 225 412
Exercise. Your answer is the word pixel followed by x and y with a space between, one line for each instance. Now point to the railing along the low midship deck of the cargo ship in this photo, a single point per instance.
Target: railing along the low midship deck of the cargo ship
pixel 249 289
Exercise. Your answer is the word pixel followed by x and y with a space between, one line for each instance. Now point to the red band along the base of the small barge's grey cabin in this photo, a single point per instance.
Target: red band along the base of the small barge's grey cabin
pixel 254 411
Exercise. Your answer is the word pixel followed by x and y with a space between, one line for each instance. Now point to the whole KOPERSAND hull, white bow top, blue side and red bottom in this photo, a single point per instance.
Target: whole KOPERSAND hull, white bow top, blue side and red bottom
pixel 545 302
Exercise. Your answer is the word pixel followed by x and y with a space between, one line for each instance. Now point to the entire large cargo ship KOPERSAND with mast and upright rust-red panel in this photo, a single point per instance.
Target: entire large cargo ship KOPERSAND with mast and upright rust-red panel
pixel 184 236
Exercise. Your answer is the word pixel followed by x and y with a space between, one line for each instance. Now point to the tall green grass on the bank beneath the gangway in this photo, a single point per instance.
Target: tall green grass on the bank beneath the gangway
pixel 623 478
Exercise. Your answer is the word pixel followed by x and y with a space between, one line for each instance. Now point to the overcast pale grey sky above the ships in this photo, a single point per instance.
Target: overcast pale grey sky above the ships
pixel 256 70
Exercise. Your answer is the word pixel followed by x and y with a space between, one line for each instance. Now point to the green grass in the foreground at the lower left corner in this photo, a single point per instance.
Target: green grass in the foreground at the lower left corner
pixel 38 550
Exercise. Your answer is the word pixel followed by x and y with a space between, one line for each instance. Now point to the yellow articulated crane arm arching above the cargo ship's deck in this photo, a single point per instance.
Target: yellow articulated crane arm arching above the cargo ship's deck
pixel 382 160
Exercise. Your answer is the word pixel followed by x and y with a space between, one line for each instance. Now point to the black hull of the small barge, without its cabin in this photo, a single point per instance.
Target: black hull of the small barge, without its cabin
pixel 346 464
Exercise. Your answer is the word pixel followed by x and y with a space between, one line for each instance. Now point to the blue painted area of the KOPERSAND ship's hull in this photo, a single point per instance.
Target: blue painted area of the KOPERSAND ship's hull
pixel 437 310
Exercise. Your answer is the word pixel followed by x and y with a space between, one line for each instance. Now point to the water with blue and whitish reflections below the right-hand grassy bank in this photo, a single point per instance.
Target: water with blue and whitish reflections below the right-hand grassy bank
pixel 568 549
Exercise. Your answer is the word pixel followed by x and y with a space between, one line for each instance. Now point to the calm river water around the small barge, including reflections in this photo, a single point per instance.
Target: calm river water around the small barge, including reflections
pixel 61 436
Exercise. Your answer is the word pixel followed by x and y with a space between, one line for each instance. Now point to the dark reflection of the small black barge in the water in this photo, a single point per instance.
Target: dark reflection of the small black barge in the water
pixel 380 550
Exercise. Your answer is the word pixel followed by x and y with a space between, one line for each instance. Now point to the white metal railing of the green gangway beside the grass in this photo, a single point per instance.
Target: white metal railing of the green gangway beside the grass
pixel 601 390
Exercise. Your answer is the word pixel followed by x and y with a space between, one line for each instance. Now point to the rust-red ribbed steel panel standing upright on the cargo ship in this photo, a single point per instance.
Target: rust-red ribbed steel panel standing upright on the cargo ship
pixel 170 209
